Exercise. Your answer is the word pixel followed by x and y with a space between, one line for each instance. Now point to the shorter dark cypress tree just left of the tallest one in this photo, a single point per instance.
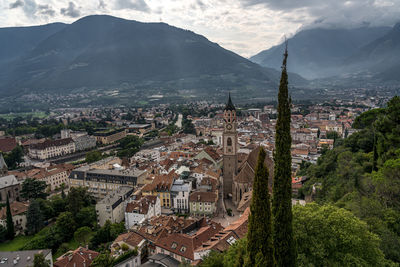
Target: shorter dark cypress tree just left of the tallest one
pixel 260 246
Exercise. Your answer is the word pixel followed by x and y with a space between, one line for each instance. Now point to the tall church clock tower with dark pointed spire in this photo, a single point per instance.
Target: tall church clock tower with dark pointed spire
pixel 230 146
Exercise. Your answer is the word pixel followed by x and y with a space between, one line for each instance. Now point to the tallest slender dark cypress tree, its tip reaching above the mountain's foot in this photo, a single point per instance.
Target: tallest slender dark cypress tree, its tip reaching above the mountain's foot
pixel 284 248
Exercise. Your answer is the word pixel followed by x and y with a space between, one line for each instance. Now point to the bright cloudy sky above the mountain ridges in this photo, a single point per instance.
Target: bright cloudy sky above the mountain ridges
pixel 243 26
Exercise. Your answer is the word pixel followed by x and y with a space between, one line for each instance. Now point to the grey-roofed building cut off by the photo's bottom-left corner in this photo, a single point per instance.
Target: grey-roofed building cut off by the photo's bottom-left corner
pixel 23 258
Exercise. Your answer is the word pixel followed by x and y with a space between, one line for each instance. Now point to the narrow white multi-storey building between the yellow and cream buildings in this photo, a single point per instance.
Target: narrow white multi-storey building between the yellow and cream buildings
pixel 180 192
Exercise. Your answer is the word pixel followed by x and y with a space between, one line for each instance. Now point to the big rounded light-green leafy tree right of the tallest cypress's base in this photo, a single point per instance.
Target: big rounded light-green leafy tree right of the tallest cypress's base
pixel 330 236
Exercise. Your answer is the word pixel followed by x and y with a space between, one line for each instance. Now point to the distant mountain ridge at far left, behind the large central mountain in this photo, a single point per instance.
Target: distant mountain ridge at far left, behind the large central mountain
pixel 17 41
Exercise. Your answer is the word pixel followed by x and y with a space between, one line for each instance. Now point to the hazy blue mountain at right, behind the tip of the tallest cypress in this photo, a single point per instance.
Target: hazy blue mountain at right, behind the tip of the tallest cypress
pixel 317 53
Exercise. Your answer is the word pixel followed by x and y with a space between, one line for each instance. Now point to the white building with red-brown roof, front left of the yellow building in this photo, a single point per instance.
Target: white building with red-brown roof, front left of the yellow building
pixel 143 209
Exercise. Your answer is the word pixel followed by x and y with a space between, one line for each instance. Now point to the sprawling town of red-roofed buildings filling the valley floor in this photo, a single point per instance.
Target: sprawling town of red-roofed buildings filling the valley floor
pixel 165 184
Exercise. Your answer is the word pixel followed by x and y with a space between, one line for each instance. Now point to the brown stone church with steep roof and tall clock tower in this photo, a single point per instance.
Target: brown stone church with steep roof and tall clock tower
pixel 238 178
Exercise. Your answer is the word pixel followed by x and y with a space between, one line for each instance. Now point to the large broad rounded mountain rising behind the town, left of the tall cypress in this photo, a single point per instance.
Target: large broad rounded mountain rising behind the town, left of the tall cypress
pixel 104 52
